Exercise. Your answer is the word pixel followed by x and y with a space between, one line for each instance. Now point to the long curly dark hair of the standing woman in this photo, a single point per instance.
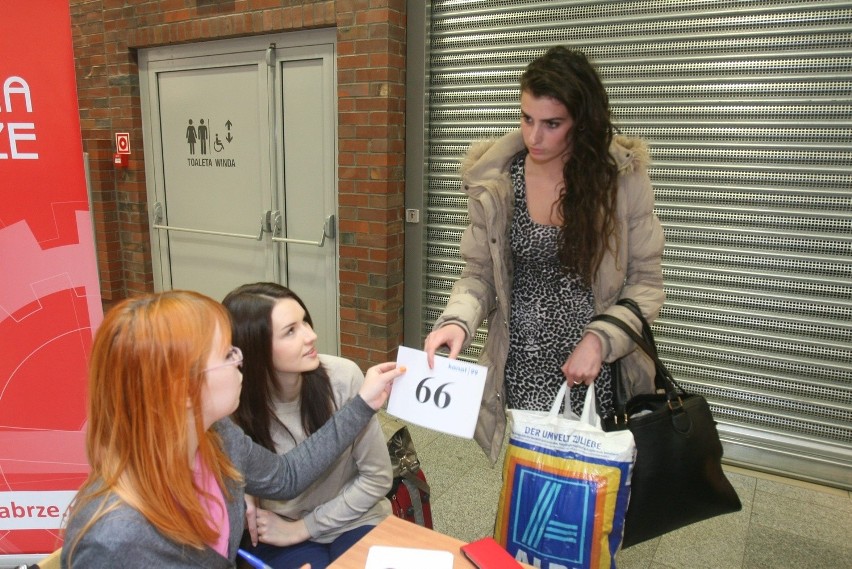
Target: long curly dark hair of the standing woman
pixel 588 199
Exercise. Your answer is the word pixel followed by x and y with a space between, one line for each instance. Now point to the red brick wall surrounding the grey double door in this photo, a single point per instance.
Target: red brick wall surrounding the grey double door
pixel 371 139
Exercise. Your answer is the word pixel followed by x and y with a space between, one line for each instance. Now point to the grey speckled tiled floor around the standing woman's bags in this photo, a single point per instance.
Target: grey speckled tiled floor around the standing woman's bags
pixel 784 523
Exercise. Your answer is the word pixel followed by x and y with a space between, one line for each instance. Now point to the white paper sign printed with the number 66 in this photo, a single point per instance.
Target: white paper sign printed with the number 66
pixel 446 398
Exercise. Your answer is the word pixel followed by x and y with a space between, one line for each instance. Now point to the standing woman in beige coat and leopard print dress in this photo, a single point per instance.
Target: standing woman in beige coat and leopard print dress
pixel 561 227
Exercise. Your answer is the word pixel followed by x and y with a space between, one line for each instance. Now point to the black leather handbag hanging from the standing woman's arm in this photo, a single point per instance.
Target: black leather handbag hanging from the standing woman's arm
pixel 677 478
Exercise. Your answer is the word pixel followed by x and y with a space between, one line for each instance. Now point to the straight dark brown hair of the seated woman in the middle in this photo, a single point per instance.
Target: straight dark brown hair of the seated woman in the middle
pixel 250 307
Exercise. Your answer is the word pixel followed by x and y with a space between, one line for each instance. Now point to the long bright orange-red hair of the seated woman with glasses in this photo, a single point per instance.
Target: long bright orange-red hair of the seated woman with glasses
pixel 147 363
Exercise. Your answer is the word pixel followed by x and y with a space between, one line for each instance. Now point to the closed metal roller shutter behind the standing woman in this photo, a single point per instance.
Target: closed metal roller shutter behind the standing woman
pixel 747 107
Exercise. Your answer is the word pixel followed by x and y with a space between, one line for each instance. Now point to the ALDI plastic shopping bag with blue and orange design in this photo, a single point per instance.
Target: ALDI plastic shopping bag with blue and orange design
pixel 566 484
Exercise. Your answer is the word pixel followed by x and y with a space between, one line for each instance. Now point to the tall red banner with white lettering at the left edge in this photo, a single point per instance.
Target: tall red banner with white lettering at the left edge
pixel 49 293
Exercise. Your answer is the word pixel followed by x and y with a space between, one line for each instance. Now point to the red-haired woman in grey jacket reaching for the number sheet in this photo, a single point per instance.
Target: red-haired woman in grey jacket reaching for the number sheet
pixel 169 467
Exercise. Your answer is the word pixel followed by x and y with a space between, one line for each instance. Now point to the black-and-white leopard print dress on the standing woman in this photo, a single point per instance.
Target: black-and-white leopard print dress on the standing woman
pixel 549 311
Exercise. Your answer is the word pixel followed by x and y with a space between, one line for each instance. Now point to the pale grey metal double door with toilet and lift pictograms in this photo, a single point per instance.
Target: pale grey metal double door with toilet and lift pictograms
pixel 240 147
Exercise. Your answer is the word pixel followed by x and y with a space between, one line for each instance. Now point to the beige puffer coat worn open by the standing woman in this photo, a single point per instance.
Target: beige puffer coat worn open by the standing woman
pixel 484 288
